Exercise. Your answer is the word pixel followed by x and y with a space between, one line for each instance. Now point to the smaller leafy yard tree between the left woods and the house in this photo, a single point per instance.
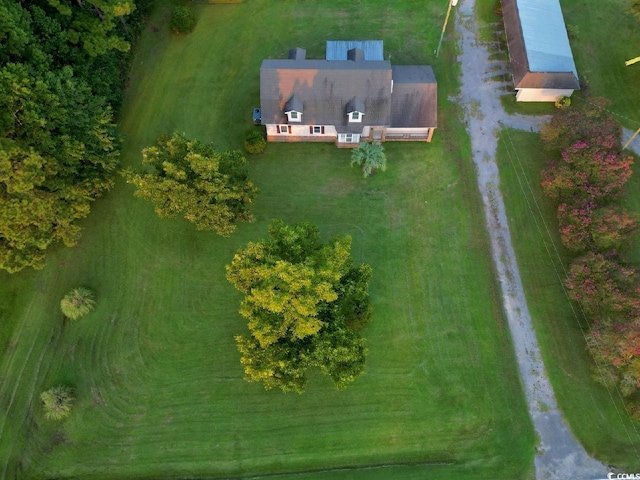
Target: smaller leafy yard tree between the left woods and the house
pixel 209 188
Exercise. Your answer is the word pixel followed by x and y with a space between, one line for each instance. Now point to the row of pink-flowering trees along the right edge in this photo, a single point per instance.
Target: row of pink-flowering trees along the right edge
pixel 586 177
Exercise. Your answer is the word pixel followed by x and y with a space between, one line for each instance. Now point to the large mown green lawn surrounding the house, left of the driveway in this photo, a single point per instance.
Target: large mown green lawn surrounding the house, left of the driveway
pixel 159 384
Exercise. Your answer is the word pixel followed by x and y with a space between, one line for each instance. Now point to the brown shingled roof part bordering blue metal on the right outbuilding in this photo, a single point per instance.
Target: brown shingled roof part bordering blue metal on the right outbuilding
pixel 523 77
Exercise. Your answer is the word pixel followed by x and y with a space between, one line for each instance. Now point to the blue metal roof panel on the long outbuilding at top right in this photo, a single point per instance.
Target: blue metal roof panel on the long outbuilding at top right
pixel 545 36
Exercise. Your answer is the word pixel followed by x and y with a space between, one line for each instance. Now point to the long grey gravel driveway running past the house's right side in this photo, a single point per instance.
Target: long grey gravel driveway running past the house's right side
pixel 559 456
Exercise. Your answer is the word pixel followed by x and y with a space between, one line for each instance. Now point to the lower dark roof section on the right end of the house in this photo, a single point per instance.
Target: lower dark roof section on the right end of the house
pixel 414 99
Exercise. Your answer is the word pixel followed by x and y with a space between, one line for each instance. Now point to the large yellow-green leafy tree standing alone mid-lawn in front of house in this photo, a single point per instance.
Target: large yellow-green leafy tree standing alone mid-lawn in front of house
pixel 303 299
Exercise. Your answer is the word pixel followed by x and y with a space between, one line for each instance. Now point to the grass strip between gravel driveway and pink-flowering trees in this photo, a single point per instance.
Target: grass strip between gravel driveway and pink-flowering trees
pixel 596 415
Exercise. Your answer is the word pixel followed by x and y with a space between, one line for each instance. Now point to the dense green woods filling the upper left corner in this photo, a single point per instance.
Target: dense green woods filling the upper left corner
pixel 63 65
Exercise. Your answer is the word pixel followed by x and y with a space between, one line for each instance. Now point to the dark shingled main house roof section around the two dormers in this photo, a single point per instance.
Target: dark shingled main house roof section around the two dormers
pixel 325 87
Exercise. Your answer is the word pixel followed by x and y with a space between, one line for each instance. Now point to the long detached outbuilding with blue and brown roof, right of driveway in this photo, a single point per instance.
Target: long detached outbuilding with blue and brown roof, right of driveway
pixel 541 59
